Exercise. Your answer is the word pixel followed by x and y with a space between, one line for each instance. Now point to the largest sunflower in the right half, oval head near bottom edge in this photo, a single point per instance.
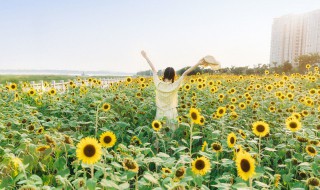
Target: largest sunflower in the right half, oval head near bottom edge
pixel 245 165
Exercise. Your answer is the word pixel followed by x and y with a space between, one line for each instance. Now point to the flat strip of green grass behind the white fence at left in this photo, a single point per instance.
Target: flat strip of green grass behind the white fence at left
pixel 37 78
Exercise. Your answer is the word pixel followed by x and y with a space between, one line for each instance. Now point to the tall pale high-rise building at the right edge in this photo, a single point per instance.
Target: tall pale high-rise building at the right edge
pixel 294 35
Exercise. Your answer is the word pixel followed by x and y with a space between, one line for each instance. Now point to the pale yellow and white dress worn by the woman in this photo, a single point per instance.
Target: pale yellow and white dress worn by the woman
pixel 166 98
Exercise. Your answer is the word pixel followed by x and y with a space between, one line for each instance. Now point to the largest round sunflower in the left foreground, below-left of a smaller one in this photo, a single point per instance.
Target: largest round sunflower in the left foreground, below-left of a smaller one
pixel 89 150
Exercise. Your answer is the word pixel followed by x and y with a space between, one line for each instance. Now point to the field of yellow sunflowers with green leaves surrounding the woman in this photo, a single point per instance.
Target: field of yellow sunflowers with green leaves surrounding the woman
pixel 233 132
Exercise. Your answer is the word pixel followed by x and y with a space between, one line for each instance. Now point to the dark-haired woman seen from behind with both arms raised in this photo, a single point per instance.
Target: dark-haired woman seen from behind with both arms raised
pixel 167 90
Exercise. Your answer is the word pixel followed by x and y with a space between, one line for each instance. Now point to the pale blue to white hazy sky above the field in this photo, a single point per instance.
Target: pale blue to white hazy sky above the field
pixel 105 35
